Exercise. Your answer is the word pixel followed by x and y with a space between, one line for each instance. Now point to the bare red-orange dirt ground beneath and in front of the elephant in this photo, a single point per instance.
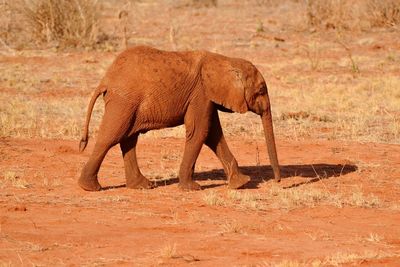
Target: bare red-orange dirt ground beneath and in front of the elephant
pixel 53 222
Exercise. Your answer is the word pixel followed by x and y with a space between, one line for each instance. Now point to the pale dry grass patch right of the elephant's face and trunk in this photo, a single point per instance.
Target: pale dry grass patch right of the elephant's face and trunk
pixel 365 111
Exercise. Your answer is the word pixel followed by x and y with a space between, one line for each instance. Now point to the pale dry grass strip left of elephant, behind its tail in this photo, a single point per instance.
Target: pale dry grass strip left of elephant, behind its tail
pixel 23 116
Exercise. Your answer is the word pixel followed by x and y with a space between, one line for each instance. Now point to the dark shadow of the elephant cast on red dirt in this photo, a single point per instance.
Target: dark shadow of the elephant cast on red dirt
pixel 260 174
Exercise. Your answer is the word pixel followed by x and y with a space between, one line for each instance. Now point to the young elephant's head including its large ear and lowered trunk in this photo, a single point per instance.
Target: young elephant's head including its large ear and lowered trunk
pixel 237 85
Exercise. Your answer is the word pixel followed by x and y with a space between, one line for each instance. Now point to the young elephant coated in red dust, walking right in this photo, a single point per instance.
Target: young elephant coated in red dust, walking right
pixel 146 89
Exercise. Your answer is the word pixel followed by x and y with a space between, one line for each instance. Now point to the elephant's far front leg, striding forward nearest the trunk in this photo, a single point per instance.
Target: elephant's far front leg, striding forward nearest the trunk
pixel 217 143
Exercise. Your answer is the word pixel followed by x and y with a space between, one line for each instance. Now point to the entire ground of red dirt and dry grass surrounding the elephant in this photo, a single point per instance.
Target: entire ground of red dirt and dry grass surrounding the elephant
pixel 336 106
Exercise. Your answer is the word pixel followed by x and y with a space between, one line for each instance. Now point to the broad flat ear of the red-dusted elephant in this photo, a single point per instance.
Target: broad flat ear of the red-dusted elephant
pixel 224 83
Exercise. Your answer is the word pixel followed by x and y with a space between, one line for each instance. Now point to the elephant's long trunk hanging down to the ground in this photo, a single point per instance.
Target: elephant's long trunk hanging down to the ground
pixel 266 118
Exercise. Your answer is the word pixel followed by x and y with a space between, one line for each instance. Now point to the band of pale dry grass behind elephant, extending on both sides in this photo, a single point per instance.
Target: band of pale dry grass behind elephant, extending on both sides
pixel 328 110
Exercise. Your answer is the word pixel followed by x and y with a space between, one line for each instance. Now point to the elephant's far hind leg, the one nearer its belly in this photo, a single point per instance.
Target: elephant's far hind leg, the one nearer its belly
pixel 134 178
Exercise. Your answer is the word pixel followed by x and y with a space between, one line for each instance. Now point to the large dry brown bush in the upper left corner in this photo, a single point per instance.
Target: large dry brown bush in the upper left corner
pixel 60 23
